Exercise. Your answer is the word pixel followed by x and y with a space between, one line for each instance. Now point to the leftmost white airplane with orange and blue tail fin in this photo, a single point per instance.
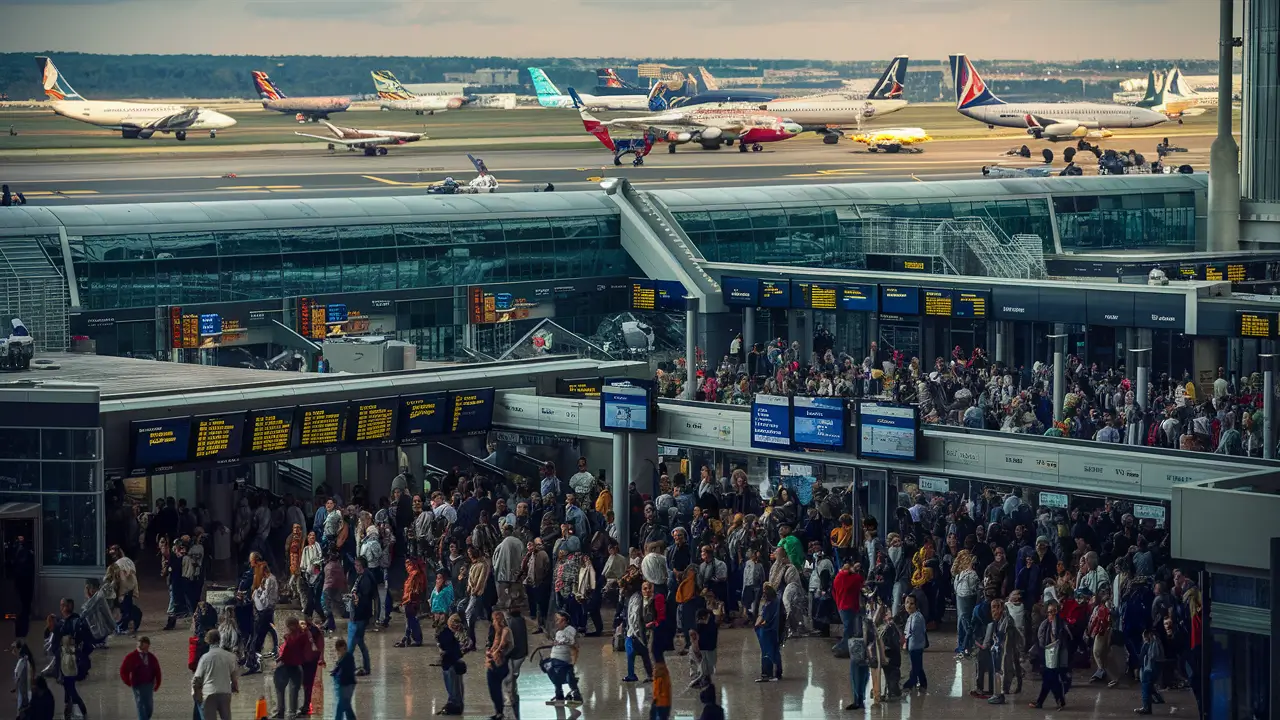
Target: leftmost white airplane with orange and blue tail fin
pixel 134 120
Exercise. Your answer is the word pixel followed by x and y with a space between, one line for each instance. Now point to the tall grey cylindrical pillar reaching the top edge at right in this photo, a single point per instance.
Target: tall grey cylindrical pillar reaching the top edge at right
pixel 1224 154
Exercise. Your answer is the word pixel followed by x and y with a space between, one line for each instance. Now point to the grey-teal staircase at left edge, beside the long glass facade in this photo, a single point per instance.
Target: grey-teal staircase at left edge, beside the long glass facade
pixel 33 289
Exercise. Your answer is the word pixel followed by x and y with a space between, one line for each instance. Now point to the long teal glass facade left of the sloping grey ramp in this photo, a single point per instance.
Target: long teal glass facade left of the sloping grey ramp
pixel 156 270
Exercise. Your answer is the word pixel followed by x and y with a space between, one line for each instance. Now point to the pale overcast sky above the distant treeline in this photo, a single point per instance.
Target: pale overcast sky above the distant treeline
pixel 830 30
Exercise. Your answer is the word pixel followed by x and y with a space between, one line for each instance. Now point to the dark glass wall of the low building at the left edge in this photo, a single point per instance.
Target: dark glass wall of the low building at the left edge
pixel 62 472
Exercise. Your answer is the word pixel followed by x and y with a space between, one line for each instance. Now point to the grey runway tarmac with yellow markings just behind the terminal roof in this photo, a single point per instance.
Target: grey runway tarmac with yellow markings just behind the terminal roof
pixel 405 172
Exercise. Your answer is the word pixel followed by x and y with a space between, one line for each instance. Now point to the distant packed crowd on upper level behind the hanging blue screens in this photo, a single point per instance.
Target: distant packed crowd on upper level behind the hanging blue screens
pixel 1100 404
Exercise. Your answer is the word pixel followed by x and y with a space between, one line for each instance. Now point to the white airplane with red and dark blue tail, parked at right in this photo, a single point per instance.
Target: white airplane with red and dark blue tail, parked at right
pixel 1049 121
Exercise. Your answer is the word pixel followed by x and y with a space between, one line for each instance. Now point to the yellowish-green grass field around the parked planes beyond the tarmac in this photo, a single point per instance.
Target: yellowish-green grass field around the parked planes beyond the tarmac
pixel 44 131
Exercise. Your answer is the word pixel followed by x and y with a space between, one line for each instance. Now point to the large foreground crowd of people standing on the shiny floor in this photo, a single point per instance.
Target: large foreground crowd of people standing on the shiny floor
pixel 1035 593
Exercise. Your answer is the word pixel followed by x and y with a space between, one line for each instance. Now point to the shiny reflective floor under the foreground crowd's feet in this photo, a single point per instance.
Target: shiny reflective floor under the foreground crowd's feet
pixel 404 685
